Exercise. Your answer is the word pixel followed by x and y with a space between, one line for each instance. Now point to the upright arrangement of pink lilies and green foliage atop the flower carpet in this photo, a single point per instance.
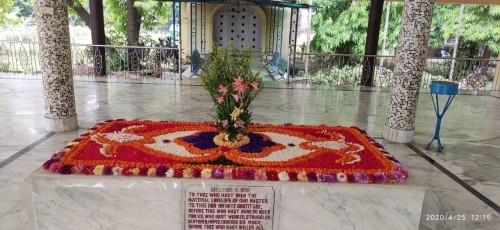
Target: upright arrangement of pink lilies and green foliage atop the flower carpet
pixel 232 86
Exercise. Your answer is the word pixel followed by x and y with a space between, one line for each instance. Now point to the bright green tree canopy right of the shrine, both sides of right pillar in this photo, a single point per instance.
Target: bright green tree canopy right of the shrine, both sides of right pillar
pixel 340 27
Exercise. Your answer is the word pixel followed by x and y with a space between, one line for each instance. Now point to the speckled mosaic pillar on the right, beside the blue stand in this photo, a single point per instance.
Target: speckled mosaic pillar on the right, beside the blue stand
pixel 410 60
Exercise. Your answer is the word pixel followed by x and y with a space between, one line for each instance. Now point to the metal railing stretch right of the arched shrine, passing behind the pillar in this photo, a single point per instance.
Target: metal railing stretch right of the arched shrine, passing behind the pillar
pixel 347 69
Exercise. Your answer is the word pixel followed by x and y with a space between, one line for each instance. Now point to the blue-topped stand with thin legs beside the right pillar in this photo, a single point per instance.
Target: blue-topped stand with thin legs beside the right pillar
pixel 441 88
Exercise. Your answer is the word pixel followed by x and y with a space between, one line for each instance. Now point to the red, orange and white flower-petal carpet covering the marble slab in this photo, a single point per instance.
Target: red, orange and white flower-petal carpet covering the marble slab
pixel 274 153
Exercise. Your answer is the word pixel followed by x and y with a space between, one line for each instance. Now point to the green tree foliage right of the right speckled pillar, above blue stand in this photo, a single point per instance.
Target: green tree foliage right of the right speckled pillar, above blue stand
pixel 479 37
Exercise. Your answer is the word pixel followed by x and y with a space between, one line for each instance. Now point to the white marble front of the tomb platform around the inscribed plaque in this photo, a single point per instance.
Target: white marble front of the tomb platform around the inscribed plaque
pixel 118 202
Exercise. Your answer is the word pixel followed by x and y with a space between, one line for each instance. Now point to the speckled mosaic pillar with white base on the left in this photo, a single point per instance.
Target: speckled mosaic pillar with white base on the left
pixel 55 61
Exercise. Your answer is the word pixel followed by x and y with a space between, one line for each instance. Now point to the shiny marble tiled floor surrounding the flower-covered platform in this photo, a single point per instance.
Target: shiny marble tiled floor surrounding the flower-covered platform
pixel 470 133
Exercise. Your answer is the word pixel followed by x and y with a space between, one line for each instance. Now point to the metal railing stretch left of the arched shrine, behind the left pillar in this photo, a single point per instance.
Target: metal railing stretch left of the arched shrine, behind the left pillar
pixel 127 61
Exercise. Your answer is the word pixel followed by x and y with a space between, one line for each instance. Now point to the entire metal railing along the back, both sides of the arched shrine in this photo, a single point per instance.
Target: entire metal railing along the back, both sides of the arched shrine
pixel 323 69
